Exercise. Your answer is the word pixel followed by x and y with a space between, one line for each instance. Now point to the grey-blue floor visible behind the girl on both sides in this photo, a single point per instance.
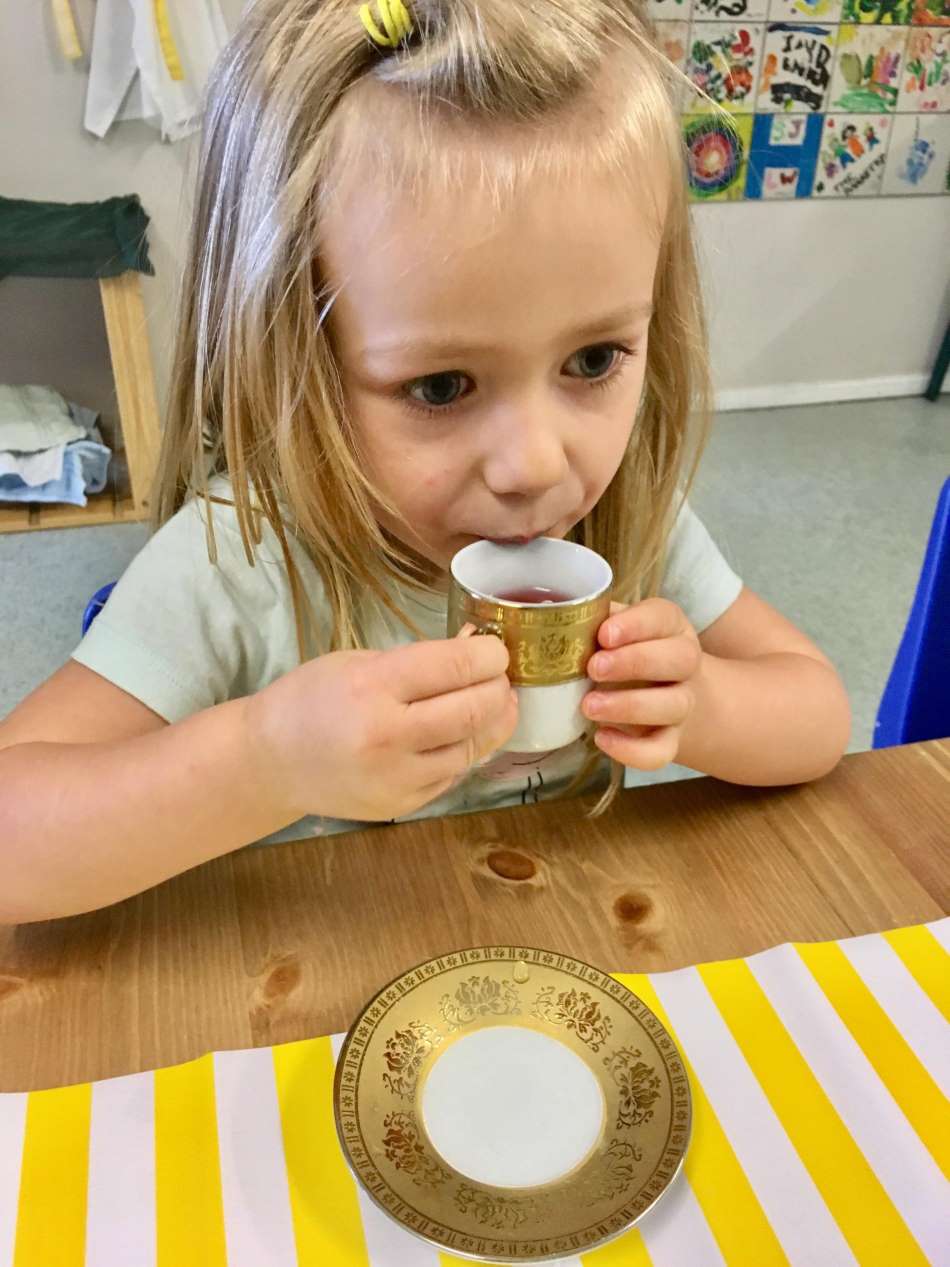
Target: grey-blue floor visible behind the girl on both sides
pixel 824 511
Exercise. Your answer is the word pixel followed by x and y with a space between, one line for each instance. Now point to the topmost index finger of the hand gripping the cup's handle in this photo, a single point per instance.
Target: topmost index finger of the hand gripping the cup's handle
pixel 424 670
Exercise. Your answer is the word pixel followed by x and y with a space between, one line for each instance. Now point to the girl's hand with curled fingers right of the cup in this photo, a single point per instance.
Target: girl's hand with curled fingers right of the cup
pixel 650 667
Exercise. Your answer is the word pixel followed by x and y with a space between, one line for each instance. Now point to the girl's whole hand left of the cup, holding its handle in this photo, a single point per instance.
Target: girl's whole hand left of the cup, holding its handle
pixel 376 735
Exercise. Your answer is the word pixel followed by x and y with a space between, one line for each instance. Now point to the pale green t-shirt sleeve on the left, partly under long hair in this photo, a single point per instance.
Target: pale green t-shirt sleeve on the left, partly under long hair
pixel 183 634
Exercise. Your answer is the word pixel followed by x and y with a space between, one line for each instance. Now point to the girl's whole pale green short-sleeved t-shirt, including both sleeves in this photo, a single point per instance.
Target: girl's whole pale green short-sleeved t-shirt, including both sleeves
pixel 182 634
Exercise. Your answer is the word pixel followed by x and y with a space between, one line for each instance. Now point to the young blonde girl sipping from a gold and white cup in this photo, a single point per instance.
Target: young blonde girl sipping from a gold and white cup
pixel 441 288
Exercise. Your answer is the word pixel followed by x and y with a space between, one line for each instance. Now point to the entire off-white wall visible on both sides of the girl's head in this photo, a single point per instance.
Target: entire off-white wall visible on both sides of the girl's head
pixel 807 301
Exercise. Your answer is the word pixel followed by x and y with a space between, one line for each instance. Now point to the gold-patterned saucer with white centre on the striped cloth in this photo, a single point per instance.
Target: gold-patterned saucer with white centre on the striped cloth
pixel 468 1051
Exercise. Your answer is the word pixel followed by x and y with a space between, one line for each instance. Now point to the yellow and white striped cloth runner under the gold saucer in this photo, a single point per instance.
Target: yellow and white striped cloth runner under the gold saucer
pixel 820 1075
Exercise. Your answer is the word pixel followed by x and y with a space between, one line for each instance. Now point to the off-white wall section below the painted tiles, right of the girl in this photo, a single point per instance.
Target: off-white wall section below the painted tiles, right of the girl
pixel 825 301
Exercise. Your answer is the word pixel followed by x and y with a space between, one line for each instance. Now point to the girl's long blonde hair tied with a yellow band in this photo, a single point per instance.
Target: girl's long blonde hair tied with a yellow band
pixel 256 388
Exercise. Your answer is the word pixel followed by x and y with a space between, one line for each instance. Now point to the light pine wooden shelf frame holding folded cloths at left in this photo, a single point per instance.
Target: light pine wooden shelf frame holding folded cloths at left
pixel 127 333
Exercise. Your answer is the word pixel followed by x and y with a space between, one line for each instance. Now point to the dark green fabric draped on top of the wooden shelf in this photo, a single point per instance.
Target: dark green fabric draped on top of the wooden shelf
pixel 73 240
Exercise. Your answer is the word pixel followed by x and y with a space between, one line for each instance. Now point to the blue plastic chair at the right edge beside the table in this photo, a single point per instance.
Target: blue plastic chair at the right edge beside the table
pixel 916 701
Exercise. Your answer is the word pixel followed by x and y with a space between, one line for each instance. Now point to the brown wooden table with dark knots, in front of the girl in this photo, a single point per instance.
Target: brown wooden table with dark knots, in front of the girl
pixel 274 945
